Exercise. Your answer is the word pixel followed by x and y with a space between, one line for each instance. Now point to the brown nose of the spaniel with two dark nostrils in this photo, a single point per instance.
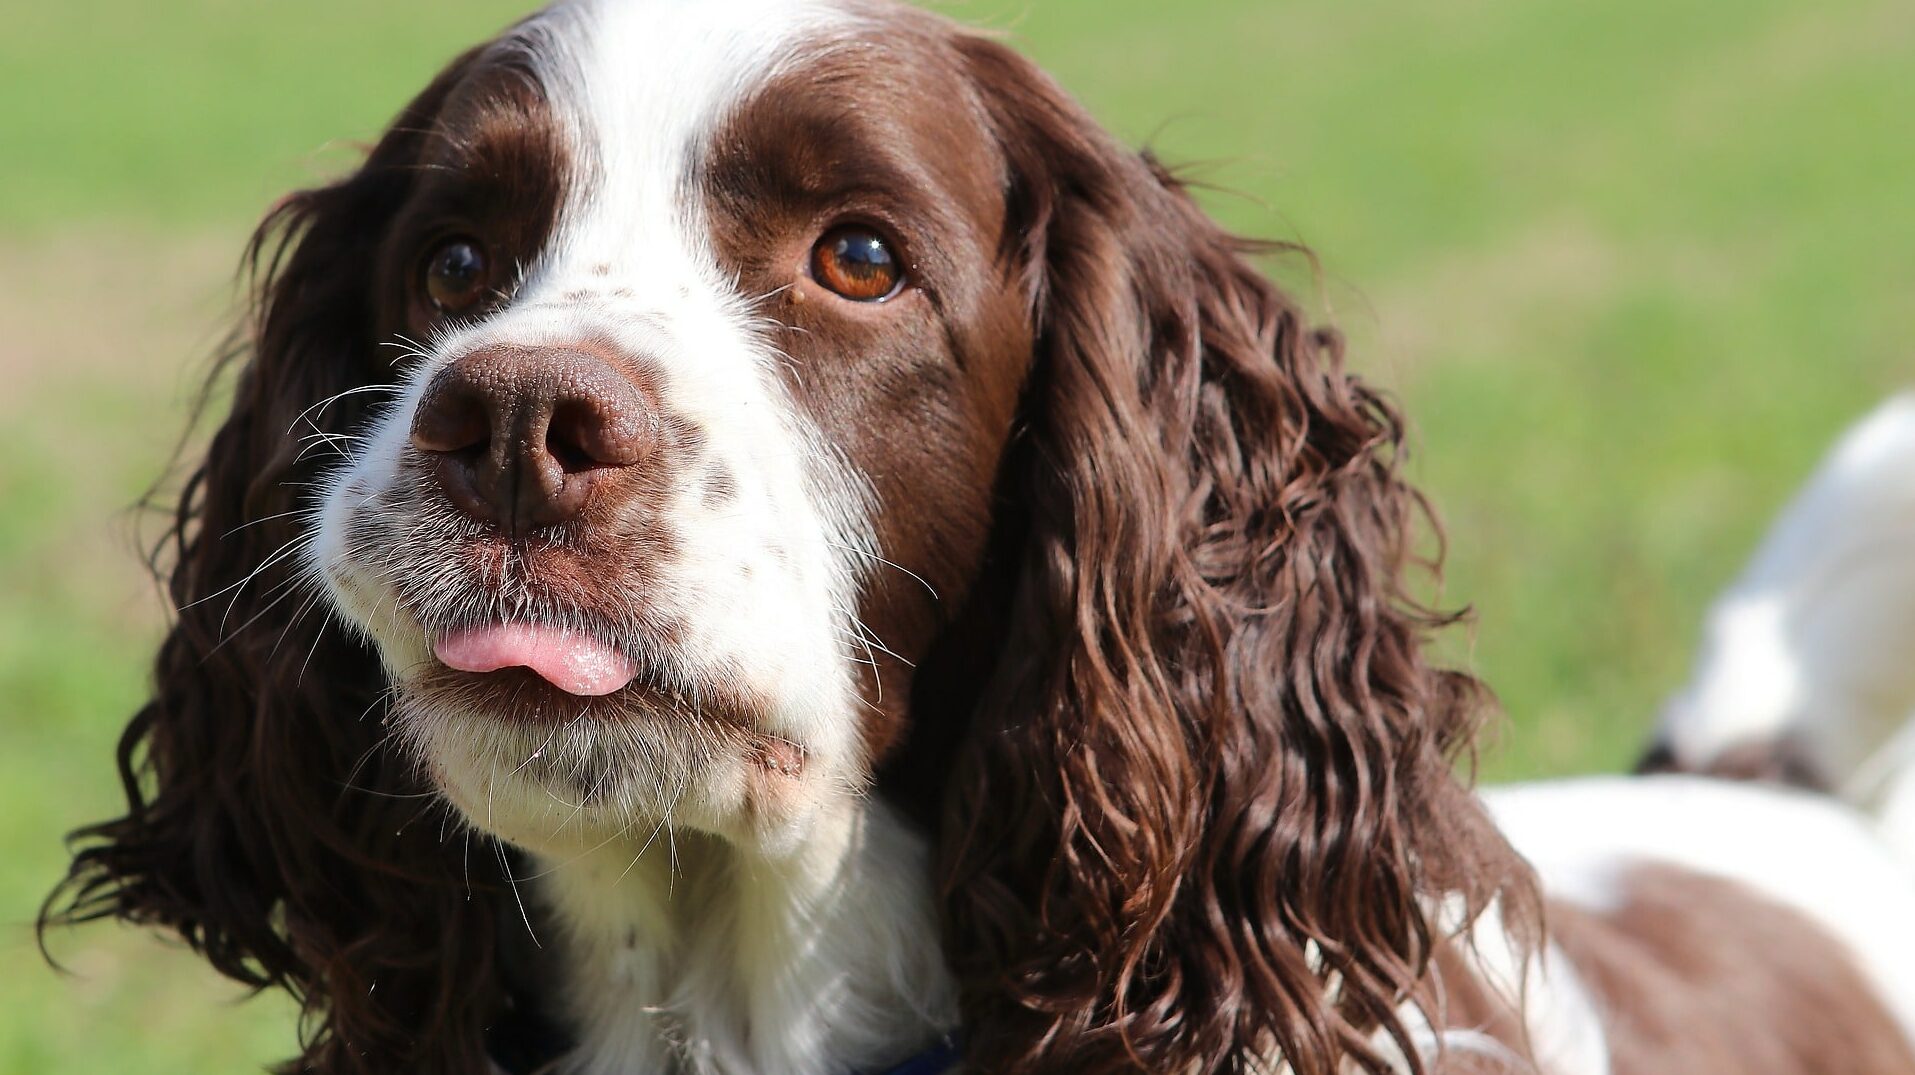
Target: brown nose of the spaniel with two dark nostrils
pixel 522 436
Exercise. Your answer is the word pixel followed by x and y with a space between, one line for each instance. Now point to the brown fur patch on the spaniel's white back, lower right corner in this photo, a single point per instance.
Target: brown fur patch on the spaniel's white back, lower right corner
pixel 1701 976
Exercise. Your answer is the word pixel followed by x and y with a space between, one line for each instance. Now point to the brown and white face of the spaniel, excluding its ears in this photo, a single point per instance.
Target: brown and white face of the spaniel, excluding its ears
pixel 706 354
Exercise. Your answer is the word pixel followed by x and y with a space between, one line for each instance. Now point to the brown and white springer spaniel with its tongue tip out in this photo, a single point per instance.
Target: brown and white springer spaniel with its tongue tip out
pixel 754 537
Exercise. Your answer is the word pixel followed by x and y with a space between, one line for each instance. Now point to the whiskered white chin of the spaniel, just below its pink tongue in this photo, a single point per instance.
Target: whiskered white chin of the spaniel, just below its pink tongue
pixel 556 773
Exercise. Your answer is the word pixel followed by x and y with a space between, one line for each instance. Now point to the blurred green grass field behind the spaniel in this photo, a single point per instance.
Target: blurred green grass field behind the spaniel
pixel 1631 267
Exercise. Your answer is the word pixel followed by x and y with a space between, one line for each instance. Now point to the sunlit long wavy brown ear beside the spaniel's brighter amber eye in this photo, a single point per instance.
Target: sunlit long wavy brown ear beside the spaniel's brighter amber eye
pixel 1207 804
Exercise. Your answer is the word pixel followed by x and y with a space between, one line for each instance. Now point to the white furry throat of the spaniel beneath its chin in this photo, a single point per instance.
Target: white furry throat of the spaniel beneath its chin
pixel 694 957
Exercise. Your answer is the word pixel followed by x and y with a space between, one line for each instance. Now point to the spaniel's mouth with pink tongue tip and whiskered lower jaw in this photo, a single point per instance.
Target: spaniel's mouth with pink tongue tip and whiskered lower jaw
pixel 572 718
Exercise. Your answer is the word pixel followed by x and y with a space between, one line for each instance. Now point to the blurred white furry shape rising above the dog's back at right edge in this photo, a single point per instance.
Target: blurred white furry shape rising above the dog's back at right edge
pixel 1807 670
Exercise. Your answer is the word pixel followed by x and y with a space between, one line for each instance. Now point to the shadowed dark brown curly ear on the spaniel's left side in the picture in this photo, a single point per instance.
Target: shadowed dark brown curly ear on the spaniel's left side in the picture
pixel 265 819
